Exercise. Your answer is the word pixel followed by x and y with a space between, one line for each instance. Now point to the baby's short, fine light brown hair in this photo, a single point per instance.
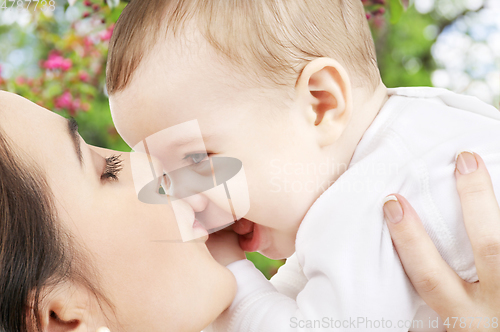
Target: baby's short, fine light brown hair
pixel 276 38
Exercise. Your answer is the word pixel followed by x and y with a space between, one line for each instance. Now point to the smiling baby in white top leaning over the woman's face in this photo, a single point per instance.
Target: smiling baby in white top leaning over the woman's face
pixel 292 89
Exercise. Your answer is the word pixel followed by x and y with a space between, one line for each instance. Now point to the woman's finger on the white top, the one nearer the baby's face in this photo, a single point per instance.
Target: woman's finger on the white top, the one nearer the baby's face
pixel 437 284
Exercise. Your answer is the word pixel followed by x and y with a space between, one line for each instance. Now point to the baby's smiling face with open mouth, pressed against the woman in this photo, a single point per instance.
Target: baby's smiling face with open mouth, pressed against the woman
pixel 258 126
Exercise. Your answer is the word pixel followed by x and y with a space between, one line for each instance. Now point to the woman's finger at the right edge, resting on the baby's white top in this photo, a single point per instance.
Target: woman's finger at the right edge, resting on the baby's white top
pixel 481 216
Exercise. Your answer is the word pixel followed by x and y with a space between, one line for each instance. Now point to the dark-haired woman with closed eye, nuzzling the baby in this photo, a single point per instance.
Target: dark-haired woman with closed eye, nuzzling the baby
pixel 76 267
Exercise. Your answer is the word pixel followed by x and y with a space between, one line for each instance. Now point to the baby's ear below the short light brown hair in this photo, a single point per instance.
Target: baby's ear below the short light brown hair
pixel 325 90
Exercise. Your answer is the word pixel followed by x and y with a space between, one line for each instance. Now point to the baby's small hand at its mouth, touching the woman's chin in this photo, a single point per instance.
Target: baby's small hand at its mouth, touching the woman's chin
pixel 224 246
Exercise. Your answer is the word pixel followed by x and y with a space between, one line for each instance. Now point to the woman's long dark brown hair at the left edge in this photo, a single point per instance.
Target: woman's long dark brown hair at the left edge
pixel 35 252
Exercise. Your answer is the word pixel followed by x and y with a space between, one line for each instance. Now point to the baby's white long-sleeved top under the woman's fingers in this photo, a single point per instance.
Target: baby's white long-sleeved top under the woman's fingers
pixel 345 266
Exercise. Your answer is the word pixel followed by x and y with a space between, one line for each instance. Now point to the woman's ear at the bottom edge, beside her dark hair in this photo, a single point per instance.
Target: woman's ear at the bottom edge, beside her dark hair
pixel 64 308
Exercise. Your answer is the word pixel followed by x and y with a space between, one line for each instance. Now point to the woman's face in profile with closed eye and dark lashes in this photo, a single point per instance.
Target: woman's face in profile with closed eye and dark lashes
pixel 155 281
